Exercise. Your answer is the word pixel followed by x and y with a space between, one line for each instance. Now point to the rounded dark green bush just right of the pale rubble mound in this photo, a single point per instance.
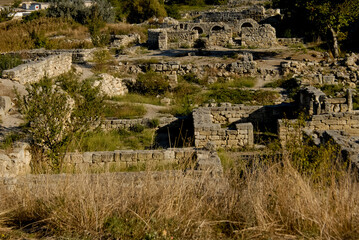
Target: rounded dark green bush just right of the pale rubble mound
pixel 151 83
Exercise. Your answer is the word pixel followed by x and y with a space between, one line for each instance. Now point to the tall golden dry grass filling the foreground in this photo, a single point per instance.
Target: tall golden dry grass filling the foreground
pixel 271 200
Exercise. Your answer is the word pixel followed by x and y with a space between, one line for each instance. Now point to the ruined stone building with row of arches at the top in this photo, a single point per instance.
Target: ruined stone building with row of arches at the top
pixel 225 28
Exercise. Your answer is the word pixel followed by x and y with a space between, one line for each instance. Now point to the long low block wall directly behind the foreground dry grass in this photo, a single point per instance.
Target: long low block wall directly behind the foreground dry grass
pixel 124 159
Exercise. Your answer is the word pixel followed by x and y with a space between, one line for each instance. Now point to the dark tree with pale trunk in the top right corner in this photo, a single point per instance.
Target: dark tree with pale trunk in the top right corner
pixel 320 17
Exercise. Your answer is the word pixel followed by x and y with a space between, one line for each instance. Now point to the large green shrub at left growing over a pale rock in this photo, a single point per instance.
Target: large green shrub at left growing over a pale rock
pixel 56 113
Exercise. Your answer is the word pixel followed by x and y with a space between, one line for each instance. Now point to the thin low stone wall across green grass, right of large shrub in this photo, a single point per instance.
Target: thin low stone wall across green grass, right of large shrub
pixel 114 124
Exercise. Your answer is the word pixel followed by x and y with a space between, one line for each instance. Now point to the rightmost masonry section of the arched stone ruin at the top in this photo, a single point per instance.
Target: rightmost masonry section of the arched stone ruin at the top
pixel 263 36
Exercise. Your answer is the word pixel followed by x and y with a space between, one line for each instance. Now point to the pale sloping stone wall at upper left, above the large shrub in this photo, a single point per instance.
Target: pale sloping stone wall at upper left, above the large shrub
pixel 51 66
